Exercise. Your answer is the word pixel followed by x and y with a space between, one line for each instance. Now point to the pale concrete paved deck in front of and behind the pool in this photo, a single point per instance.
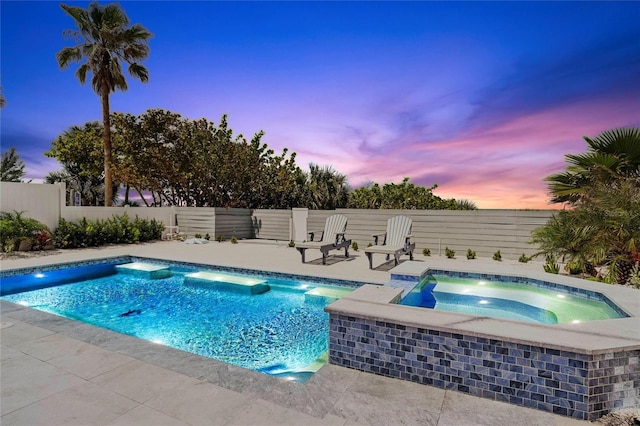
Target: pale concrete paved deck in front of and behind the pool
pixel 56 371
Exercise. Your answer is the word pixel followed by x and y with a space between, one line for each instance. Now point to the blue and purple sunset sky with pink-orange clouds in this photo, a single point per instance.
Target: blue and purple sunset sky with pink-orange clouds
pixel 483 99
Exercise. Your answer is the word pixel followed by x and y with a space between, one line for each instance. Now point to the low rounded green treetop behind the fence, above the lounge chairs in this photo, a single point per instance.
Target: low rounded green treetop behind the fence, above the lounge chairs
pixel 405 195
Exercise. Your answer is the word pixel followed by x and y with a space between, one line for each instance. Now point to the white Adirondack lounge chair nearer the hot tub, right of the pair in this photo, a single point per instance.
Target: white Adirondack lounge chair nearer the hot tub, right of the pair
pixel 396 241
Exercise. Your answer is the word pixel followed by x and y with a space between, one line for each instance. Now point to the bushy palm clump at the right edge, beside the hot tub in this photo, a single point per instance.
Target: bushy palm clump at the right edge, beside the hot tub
pixel 603 187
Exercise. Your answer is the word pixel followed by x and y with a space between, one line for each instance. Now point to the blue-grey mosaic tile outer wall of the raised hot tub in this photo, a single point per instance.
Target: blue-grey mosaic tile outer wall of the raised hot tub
pixel 583 386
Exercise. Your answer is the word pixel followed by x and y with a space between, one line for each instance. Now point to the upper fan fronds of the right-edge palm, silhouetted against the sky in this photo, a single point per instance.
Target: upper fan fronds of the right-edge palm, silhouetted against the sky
pixel 612 155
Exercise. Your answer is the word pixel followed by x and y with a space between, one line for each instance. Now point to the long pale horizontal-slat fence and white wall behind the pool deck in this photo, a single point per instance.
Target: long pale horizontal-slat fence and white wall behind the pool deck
pixel 484 231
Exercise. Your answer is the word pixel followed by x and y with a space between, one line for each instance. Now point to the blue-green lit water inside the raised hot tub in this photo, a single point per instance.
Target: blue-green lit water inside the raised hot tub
pixel 508 300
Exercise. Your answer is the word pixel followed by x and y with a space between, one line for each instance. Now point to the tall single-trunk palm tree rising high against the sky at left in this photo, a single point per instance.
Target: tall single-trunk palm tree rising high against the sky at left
pixel 104 40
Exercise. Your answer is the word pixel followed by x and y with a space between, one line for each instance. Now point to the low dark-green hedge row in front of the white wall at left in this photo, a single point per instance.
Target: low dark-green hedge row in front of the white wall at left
pixel 115 230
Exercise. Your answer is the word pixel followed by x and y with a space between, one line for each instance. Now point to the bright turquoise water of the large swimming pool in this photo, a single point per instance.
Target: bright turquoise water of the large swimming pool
pixel 281 329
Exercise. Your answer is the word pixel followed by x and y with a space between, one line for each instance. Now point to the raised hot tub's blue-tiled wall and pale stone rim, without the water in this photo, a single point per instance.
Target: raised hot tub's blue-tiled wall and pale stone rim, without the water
pixel 582 370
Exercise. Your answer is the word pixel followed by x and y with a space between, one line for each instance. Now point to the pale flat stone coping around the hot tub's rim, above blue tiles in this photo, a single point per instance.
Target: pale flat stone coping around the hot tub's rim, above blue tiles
pixel 590 337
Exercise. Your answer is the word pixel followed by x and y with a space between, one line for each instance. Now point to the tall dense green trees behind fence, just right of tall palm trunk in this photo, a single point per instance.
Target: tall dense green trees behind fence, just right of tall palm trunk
pixel 247 173
